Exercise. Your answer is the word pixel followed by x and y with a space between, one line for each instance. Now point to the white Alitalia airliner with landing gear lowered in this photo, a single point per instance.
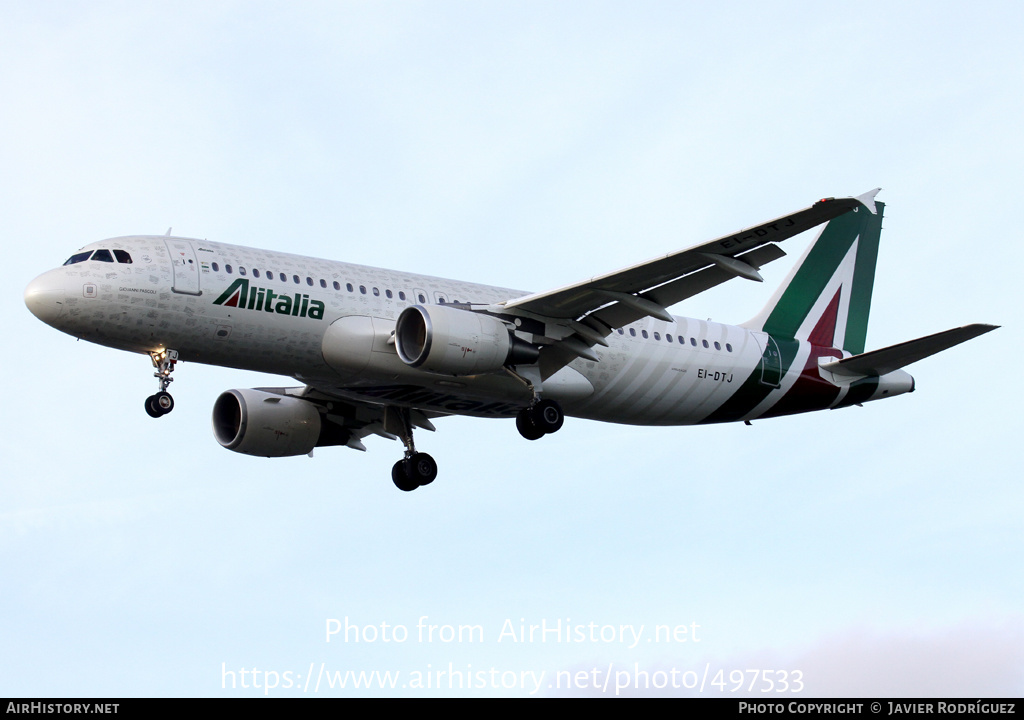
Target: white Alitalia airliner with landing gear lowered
pixel 383 353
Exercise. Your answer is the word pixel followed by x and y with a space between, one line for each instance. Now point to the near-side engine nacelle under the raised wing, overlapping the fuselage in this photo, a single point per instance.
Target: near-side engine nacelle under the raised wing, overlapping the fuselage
pixel 450 342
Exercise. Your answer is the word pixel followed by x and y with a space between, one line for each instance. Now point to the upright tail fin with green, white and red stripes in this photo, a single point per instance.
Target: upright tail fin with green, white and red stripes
pixel 828 297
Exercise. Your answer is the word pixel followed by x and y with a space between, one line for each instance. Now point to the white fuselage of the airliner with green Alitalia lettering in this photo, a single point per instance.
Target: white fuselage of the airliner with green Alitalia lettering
pixel 329 325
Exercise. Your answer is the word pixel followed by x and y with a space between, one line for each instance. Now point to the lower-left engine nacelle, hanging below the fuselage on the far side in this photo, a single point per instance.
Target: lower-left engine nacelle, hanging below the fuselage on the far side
pixel 266 425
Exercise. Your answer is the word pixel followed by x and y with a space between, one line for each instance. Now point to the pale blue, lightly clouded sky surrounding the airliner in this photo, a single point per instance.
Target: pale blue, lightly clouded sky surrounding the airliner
pixel 877 550
